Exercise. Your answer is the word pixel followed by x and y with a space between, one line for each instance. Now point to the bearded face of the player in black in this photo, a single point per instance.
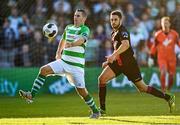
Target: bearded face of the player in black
pixel 115 21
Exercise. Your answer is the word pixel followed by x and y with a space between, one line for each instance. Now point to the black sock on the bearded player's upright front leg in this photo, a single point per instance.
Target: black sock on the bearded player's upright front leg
pixel 102 97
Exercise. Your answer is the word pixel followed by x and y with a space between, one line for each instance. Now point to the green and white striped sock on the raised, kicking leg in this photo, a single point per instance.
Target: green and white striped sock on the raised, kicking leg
pixel 38 83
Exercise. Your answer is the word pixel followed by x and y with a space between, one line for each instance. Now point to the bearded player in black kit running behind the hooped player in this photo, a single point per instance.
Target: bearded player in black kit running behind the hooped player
pixel 123 61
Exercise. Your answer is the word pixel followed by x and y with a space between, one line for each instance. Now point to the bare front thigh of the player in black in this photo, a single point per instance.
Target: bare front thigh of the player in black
pixel 106 75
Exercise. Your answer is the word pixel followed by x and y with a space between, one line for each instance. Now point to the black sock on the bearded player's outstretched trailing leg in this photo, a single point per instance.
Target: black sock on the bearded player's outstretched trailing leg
pixel 153 91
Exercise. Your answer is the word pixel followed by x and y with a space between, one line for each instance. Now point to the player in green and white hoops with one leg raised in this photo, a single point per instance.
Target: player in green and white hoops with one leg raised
pixel 70 60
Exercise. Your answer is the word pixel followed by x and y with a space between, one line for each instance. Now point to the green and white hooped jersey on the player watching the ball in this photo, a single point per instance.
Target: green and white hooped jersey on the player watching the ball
pixel 75 55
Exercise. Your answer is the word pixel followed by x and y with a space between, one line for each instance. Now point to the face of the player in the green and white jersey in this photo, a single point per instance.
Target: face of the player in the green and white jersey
pixel 78 18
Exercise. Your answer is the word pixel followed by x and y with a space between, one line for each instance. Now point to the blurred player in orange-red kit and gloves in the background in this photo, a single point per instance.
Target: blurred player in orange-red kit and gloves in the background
pixel 164 46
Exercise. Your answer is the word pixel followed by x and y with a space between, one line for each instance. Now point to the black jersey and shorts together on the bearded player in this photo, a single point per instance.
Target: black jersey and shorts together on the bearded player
pixel 125 63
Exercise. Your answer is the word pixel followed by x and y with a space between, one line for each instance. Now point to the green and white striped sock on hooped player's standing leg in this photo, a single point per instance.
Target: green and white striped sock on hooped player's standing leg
pixel 90 102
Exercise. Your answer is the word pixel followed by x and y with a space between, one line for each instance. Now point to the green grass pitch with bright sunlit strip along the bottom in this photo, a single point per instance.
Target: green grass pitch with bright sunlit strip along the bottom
pixel 122 108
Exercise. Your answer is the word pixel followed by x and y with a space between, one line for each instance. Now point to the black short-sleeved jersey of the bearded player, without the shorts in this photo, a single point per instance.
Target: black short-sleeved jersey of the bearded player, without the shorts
pixel 117 37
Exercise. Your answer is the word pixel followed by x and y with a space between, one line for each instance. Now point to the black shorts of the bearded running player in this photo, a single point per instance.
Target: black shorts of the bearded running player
pixel 129 68
